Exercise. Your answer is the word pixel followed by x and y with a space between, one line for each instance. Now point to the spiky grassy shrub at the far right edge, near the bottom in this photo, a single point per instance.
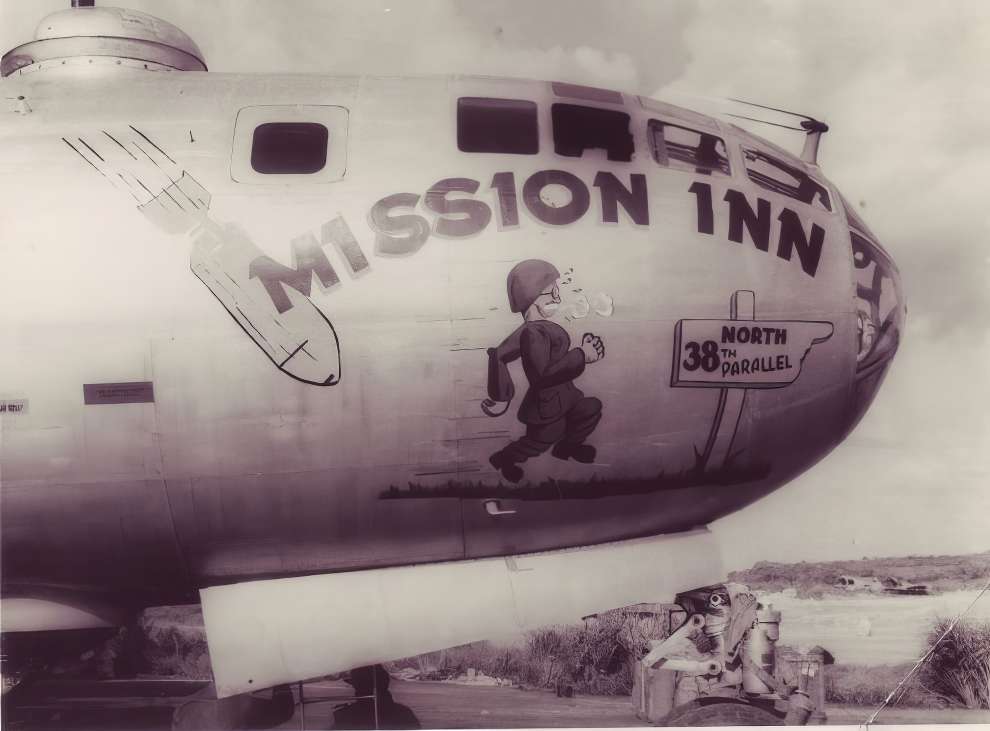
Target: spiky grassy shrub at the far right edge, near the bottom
pixel 959 668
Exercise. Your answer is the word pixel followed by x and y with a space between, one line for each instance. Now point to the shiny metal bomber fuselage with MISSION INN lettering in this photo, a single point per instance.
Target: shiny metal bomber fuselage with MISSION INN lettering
pixel 220 365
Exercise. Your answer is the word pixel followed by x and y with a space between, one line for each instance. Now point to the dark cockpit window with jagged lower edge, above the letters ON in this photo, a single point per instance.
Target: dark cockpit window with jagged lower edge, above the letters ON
pixel 578 128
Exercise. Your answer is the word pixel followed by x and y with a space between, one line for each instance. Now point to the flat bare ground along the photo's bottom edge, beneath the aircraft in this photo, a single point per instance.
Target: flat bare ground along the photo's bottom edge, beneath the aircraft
pixel 437 705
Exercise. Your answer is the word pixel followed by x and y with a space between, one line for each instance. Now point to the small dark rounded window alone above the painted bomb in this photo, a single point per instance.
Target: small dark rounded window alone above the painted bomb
pixel 289 148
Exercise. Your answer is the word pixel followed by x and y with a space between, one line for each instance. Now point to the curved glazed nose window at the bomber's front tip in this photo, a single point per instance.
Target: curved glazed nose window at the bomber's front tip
pixel 880 307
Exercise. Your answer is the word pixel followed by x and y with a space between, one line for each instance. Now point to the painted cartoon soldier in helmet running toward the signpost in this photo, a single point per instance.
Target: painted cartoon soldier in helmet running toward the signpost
pixel 555 412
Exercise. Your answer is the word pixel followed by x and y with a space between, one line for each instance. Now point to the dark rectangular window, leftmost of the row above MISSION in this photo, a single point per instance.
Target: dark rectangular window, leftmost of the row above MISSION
pixel 508 126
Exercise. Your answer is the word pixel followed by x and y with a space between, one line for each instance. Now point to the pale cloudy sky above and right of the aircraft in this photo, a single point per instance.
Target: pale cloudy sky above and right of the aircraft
pixel 901 84
